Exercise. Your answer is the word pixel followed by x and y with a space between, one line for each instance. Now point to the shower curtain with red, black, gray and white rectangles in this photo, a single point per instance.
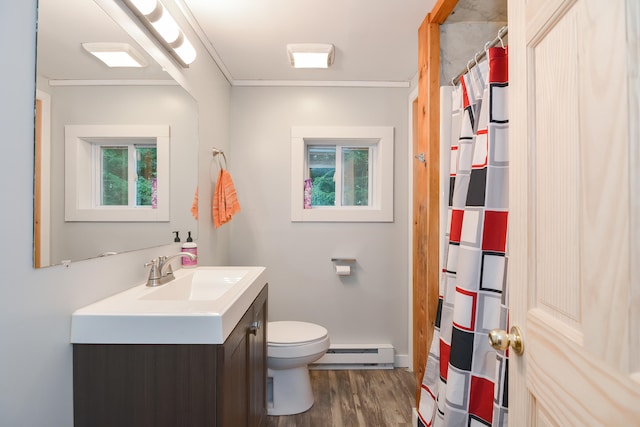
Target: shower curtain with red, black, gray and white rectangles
pixel 465 380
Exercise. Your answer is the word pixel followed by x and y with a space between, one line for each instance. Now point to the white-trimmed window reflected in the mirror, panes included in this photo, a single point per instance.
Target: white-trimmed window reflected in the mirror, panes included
pixel 116 173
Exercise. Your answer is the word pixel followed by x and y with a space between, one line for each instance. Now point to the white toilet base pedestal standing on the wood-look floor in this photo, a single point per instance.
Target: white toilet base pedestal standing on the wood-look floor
pixel 291 391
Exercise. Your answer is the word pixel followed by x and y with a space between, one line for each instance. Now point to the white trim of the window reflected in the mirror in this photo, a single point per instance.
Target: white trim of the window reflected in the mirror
pixel 79 174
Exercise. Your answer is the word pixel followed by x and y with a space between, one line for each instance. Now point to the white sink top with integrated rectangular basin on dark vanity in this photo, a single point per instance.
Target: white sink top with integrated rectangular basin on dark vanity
pixel 201 306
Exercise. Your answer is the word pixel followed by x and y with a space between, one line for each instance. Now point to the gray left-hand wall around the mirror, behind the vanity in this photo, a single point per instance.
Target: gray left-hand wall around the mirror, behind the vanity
pixel 36 305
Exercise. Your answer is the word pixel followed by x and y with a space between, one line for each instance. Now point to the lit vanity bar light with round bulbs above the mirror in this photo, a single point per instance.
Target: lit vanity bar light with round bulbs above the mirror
pixel 164 27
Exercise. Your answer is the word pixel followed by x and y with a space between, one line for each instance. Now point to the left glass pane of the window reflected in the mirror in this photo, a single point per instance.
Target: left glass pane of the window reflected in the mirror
pixel 114 176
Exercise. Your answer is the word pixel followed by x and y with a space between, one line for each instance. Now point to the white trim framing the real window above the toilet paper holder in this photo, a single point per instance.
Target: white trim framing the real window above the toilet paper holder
pixel 381 209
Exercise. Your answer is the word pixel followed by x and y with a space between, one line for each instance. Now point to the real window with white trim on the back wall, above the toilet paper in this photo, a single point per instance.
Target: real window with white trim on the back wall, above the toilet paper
pixel 351 171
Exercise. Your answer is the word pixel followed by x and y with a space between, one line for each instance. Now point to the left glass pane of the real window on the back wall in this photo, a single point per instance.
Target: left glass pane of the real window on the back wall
pixel 322 167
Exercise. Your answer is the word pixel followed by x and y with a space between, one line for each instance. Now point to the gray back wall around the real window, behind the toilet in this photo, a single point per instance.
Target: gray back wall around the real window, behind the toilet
pixel 371 306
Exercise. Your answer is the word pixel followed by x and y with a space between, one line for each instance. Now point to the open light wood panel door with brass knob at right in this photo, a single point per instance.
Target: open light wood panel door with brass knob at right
pixel 574 207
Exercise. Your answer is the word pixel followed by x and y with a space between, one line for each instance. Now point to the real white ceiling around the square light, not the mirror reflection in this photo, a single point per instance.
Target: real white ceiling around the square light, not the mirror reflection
pixel 375 40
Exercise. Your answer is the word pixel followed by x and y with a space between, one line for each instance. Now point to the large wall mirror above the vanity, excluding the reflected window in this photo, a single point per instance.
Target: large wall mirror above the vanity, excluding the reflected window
pixel 73 88
